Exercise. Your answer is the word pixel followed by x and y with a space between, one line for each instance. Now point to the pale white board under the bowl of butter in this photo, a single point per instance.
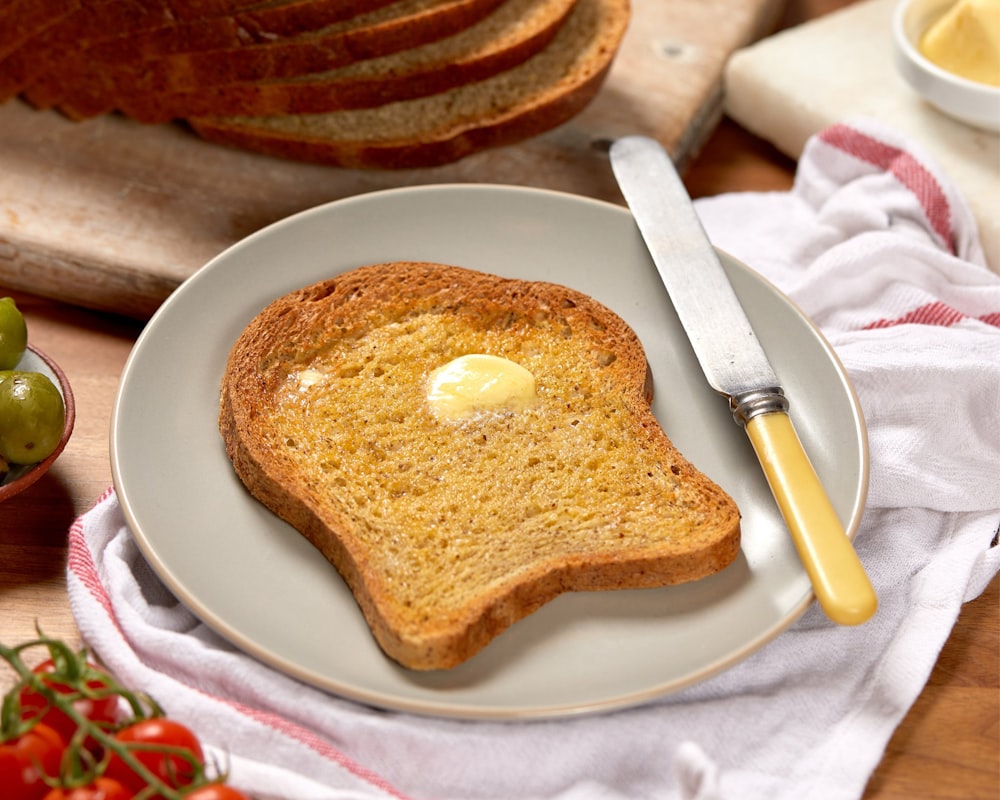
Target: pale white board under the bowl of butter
pixel 784 89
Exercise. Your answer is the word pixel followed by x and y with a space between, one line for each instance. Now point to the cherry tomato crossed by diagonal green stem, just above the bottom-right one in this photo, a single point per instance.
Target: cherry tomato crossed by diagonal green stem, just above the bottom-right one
pixel 173 769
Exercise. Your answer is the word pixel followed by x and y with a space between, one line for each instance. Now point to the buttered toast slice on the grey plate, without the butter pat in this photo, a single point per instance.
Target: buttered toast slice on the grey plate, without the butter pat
pixel 449 530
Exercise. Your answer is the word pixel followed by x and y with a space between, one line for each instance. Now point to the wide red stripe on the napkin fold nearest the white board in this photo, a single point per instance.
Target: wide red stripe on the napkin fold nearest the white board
pixel 907 170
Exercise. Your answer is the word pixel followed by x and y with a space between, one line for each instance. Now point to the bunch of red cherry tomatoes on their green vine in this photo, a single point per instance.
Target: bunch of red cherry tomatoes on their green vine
pixel 68 729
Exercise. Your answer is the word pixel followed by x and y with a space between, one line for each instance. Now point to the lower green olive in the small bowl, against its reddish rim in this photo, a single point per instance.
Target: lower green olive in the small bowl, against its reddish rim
pixel 32 416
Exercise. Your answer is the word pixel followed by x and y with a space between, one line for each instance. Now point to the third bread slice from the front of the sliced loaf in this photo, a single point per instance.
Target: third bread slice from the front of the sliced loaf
pixel 389 29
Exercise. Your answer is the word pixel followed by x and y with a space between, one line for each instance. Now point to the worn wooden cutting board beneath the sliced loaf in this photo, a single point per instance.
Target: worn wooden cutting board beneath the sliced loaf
pixel 113 215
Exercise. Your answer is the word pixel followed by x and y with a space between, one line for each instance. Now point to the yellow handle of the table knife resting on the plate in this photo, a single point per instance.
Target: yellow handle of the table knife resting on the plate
pixel 839 580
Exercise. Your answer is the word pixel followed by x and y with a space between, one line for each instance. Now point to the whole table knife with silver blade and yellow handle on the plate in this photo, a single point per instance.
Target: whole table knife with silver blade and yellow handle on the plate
pixel 736 366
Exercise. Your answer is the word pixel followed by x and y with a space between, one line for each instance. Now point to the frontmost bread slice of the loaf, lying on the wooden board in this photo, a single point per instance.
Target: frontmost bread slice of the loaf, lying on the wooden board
pixel 543 92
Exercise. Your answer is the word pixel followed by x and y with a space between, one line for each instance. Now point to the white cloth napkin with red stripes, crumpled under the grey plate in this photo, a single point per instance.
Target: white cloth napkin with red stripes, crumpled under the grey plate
pixel 875 245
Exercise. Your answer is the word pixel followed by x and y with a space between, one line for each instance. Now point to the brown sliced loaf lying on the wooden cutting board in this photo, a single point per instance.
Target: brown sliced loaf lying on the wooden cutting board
pixel 380 84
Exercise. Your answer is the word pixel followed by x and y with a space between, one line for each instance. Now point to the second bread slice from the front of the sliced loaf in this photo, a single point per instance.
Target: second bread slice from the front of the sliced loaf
pixel 507 37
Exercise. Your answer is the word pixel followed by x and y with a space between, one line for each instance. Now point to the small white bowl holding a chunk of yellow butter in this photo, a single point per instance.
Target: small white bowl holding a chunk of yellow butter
pixel 949 52
